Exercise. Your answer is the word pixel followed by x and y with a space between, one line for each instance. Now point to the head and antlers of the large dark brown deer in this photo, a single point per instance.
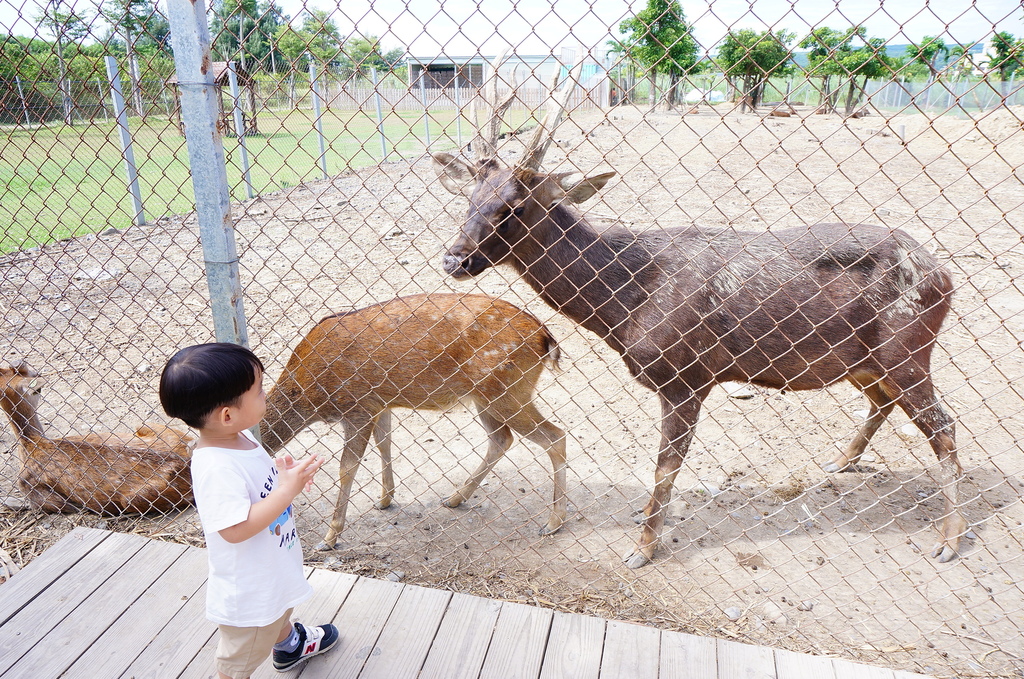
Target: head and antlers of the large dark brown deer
pixel 508 205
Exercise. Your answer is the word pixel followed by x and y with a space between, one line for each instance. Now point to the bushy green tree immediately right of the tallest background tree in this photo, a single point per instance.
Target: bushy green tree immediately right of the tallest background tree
pixel 754 58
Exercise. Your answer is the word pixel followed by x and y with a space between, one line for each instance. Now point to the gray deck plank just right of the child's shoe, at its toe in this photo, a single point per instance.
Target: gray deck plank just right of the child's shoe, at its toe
pixel 360 622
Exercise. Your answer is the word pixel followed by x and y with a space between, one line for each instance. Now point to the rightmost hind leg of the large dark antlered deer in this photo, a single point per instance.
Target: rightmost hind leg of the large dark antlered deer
pixel 922 406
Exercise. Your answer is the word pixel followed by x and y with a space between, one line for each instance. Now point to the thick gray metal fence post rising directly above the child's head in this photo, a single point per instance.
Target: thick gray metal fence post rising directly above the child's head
pixel 200 109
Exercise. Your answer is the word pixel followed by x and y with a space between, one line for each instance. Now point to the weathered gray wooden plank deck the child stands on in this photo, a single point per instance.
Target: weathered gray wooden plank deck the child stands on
pixel 102 605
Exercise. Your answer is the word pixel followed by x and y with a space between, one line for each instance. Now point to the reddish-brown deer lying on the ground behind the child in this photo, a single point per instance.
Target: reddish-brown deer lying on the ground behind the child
pixel 108 474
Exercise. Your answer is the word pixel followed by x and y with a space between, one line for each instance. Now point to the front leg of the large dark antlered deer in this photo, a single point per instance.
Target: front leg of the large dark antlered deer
pixel 679 418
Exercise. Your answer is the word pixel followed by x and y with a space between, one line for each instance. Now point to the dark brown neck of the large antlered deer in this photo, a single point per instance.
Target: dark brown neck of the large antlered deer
pixel 593 280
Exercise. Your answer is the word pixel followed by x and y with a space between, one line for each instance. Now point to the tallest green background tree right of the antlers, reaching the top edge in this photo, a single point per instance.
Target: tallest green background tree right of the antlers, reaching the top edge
pixel 660 40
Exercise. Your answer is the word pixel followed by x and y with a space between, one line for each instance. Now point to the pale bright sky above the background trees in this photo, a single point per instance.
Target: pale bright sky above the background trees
pixel 540 27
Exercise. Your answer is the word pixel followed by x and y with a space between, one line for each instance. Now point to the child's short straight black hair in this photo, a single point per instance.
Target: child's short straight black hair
pixel 201 378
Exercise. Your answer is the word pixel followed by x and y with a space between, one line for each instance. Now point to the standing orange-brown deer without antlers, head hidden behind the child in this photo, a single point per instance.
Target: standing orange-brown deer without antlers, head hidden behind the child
pixel 422 352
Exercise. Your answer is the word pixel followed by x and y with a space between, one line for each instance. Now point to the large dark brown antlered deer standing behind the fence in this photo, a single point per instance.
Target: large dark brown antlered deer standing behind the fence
pixel 691 308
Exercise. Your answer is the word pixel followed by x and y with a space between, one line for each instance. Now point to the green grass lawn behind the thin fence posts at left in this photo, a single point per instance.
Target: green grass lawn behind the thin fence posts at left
pixel 61 182
